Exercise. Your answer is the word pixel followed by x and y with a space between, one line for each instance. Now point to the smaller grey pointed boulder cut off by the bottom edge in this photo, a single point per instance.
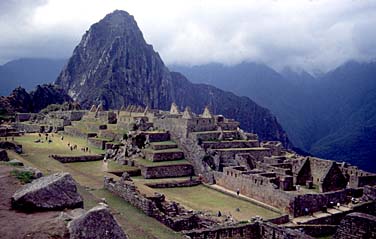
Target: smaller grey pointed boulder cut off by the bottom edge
pixel 97 223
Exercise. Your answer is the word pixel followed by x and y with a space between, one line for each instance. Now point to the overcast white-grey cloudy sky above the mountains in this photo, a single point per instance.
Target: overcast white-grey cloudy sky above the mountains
pixel 314 35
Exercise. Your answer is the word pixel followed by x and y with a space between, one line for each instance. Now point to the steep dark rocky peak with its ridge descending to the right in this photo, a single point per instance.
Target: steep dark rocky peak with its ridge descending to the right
pixel 114 65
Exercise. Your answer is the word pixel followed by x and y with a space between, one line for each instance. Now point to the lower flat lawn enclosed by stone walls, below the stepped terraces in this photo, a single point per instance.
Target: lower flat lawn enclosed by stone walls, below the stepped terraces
pixel 206 199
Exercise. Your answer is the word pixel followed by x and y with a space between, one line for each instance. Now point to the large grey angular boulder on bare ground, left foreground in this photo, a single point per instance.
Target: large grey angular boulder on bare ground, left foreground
pixel 57 191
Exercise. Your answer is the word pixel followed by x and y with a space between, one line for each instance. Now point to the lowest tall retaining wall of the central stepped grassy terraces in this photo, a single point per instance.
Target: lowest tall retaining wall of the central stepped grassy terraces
pixel 167 171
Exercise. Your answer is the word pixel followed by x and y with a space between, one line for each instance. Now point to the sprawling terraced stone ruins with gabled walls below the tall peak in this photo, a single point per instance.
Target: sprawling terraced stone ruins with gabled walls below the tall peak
pixel 217 150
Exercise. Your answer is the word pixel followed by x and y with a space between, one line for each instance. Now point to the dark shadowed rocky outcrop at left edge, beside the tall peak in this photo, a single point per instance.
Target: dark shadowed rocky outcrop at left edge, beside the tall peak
pixel 21 101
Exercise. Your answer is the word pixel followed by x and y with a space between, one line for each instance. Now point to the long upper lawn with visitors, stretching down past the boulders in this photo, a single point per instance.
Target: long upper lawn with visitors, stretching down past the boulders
pixel 89 176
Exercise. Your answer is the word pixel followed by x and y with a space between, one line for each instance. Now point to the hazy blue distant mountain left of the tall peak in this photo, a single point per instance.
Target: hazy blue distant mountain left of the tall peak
pixel 28 73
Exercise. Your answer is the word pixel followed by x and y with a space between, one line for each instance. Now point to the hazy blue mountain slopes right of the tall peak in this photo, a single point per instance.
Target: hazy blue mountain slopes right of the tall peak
pixel 333 116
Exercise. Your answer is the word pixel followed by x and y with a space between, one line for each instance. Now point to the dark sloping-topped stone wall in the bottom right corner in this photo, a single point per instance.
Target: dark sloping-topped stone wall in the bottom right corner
pixel 356 226
